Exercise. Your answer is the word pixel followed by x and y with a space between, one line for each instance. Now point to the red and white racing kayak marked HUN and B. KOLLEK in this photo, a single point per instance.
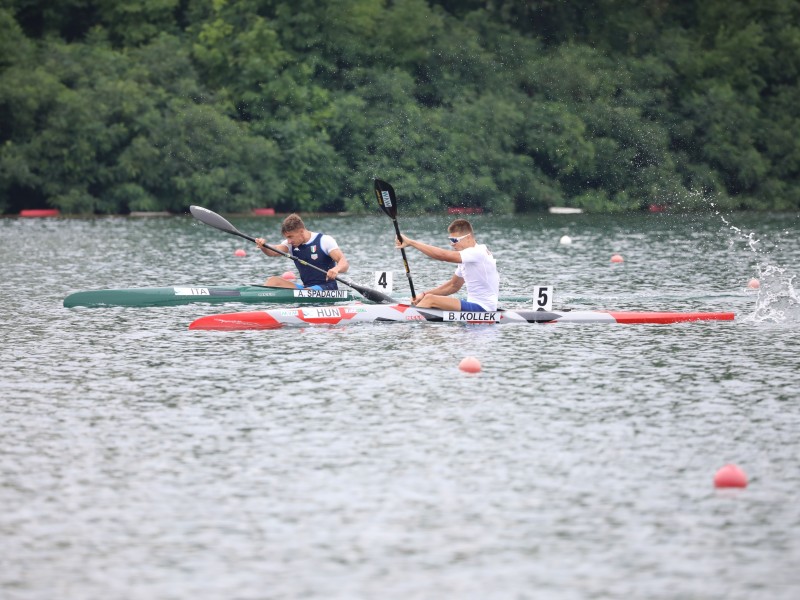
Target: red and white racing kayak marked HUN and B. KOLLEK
pixel 404 313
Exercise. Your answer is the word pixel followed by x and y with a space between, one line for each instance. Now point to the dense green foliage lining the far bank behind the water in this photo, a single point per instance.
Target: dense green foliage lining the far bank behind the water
pixel 111 106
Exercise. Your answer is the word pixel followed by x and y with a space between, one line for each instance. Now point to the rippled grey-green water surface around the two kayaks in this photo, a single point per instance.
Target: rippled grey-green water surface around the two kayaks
pixel 140 460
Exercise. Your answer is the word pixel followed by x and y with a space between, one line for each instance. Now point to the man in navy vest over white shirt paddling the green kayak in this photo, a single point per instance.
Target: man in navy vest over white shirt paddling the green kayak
pixel 318 249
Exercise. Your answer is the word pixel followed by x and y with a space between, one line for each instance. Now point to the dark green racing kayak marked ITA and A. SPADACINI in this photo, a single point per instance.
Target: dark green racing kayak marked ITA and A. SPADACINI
pixel 173 296
